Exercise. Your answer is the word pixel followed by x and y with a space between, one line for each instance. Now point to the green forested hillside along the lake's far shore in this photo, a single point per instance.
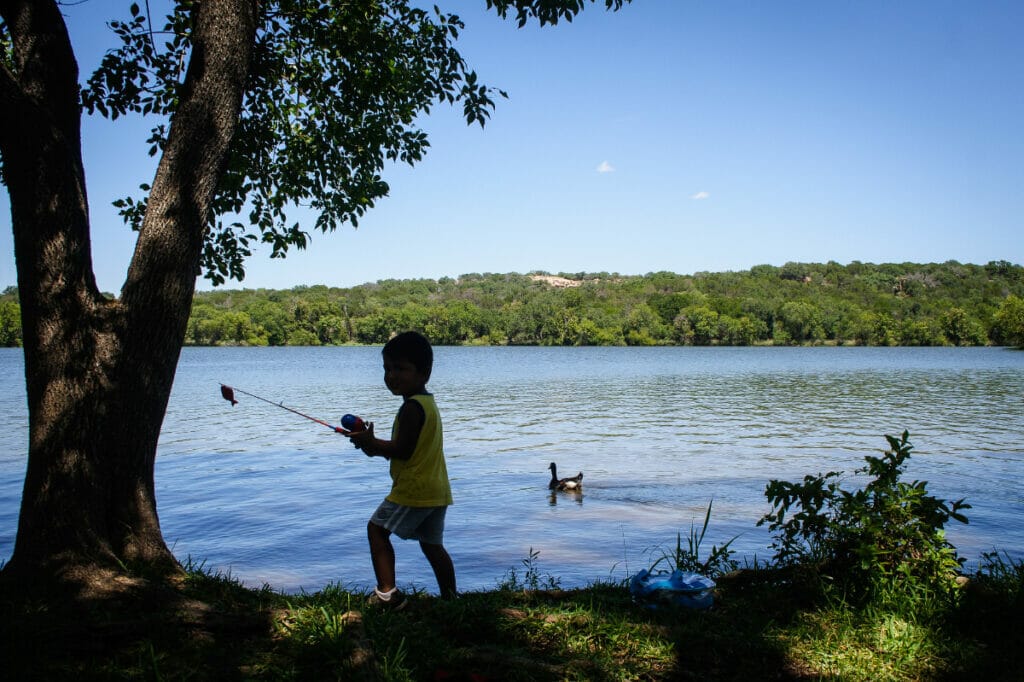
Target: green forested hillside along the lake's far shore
pixel 890 305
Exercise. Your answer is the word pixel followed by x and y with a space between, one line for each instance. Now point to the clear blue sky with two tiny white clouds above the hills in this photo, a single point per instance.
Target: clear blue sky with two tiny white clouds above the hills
pixel 672 136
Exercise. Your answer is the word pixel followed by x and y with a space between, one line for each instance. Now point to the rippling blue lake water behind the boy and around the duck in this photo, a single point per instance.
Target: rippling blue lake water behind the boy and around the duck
pixel 660 434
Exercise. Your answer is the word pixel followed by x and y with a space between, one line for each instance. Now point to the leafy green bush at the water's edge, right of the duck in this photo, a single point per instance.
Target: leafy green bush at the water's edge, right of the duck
pixel 875 543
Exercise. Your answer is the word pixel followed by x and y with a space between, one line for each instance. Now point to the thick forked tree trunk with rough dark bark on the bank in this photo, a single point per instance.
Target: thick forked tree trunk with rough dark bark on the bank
pixel 99 372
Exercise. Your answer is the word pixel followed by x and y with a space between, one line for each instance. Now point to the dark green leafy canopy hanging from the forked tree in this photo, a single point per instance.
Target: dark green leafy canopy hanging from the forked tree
pixel 334 94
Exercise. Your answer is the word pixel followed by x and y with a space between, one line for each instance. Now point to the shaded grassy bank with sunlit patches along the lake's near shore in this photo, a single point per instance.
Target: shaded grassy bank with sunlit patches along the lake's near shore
pixel 766 625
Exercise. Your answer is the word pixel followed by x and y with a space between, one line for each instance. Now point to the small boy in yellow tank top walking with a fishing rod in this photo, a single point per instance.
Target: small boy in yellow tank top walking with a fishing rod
pixel 420 490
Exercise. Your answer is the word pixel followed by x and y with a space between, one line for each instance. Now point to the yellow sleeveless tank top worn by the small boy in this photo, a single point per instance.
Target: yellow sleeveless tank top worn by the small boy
pixel 422 480
